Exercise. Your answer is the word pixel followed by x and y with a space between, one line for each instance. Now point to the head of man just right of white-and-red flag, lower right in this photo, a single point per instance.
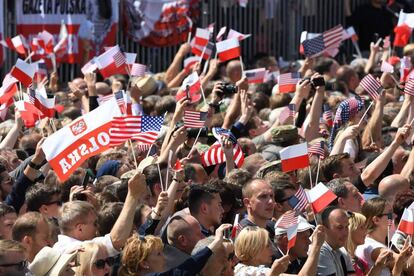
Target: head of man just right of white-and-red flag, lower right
pixel 348 196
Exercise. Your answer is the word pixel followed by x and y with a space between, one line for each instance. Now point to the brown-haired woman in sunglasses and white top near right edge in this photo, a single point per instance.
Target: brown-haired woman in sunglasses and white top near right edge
pixel 374 251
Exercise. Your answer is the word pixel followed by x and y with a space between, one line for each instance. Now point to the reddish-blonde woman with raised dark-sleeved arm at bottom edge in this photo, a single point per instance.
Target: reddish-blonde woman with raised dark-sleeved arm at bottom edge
pixel 143 255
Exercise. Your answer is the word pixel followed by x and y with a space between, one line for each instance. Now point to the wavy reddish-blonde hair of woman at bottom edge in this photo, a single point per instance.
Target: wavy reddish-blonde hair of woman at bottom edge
pixel 136 250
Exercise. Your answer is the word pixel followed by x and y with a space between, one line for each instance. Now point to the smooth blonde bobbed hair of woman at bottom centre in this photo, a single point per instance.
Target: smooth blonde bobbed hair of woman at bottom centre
pixel 250 241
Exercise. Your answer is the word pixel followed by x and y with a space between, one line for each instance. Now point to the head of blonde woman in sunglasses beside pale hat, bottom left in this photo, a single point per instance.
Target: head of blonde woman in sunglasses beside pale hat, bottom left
pixel 94 260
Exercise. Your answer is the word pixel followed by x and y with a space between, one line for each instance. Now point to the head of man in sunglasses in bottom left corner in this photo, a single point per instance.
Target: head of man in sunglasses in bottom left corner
pixel 13 258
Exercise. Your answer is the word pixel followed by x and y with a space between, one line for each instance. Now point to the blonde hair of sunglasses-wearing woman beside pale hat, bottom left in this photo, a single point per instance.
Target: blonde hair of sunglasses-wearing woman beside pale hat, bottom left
pixel 87 257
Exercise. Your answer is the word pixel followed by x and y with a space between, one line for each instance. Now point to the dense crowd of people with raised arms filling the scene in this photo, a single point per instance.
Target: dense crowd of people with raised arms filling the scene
pixel 113 218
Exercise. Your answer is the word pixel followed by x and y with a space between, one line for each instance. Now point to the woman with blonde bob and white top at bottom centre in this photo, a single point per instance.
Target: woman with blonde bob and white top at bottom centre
pixel 253 249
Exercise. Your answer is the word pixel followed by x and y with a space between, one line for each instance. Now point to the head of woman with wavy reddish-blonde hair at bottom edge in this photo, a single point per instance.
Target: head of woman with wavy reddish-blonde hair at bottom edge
pixel 142 255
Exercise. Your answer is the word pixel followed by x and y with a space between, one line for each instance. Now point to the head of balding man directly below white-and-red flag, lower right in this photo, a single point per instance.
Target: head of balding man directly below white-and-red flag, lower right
pixel 336 223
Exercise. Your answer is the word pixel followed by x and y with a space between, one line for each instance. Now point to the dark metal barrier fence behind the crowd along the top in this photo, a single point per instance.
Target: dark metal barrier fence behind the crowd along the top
pixel 275 26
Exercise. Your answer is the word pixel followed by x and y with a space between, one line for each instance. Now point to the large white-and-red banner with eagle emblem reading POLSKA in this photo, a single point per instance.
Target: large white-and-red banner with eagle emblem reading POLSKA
pixel 69 147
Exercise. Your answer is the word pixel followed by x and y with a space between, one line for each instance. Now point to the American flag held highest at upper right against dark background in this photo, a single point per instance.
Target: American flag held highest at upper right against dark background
pixel 328 40
